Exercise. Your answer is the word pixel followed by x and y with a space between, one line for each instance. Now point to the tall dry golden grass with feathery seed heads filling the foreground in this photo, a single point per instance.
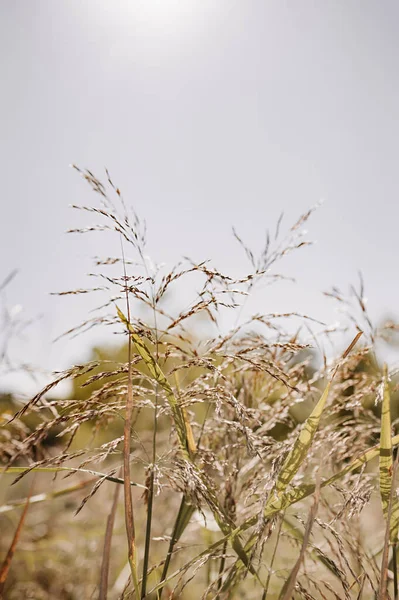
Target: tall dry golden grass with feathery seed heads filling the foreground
pixel 246 470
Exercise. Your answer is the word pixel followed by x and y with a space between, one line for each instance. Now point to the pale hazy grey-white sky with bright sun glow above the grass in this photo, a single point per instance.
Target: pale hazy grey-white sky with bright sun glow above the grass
pixel 208 114
